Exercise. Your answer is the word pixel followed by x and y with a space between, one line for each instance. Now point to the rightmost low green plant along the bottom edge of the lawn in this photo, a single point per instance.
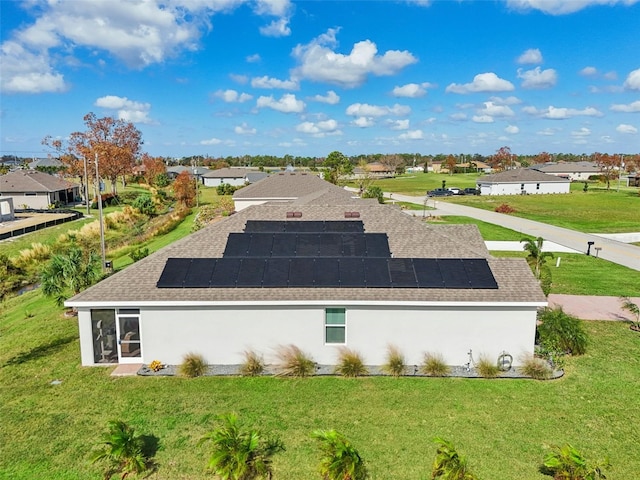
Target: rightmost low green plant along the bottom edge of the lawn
pixel 567 463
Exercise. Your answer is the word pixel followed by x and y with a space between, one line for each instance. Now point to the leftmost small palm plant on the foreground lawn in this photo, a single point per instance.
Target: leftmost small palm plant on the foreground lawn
pixel 122 450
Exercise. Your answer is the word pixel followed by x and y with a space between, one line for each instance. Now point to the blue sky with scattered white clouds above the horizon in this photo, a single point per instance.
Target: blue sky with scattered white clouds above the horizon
pixel 275 77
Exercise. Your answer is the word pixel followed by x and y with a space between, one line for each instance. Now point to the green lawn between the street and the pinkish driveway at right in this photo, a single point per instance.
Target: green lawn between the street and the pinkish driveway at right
pixel 579 274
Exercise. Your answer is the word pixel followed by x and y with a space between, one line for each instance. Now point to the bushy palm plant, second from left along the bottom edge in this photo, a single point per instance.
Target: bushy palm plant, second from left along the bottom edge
pixel 240 454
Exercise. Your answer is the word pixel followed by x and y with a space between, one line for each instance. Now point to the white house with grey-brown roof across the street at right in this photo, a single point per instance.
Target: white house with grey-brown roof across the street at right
pixel 522 181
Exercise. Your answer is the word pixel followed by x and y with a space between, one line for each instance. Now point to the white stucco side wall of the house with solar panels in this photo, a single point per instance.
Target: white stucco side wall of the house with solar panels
pixel 222 334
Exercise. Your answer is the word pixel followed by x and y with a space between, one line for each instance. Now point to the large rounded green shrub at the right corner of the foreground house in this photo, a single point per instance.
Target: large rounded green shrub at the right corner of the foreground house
pixel 560 332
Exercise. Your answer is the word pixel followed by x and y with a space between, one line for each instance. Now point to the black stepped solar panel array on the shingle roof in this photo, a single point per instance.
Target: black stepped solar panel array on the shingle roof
pixel 319 254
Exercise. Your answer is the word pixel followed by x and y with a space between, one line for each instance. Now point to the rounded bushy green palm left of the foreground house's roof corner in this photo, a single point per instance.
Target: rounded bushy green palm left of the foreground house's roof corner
pixel 69 273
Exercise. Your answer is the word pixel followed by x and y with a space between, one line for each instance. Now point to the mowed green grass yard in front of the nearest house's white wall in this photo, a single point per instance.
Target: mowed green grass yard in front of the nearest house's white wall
pixel 504 426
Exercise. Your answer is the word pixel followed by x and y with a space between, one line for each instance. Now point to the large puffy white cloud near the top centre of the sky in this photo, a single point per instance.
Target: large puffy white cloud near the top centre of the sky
pixel 318 62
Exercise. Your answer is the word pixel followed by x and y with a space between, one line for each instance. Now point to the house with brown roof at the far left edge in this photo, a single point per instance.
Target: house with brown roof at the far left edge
pixel 34 189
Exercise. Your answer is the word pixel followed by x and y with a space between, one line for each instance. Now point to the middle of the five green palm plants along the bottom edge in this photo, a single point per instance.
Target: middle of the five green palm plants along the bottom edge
pixel 340 460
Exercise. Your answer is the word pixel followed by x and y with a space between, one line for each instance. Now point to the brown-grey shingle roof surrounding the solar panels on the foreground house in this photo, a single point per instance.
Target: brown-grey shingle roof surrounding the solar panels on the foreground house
pixel 408 238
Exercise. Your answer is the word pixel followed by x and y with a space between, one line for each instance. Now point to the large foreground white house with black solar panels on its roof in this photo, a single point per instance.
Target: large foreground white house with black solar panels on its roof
pixel 321 272
